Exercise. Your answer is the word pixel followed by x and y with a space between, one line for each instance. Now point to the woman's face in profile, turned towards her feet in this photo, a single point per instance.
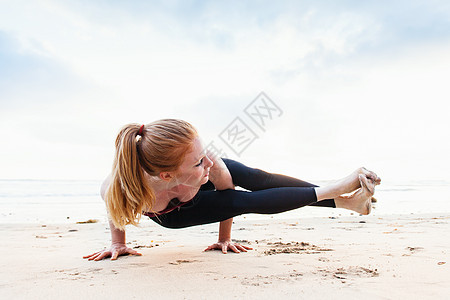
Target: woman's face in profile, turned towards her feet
pixel 194 170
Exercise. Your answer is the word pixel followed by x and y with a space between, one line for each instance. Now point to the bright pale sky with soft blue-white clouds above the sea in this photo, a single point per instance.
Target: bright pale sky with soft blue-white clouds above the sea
pixel 358 83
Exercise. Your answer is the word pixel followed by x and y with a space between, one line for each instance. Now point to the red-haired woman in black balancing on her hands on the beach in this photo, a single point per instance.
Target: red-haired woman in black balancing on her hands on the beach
pixel 163 171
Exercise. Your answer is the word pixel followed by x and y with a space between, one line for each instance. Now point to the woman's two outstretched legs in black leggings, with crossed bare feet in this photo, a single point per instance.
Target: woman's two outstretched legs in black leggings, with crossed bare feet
pixel 210 206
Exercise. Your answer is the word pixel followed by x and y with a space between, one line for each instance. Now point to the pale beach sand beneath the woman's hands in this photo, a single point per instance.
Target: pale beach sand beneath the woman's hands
pixel 370 257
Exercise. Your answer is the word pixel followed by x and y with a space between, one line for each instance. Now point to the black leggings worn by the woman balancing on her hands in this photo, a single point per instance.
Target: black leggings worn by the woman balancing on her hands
pixel 269 194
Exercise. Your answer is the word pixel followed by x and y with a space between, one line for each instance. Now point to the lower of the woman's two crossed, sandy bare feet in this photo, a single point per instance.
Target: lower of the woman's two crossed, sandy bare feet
pixel 361 200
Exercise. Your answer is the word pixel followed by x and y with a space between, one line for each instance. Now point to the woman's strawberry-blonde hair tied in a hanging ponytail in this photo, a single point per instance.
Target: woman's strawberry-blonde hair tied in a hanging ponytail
pixel 161 147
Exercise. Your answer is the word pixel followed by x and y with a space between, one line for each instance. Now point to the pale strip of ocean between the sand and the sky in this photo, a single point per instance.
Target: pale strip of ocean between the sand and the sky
pixel 70 201
